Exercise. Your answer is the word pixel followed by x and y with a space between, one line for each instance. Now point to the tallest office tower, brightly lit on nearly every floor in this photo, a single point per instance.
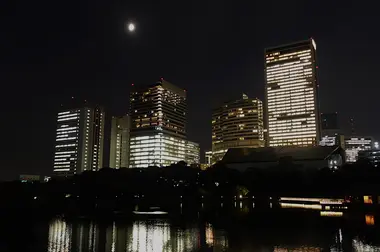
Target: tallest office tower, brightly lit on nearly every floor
pixel 292 94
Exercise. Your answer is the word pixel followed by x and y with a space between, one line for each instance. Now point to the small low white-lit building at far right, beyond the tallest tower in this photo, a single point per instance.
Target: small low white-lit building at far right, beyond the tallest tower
pixel 354 145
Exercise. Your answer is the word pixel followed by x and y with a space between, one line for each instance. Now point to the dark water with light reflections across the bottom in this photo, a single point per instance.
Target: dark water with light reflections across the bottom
pixel 245 229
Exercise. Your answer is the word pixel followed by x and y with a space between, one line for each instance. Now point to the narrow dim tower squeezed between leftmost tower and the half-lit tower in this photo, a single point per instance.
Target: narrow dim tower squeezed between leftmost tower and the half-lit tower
pixel 119 149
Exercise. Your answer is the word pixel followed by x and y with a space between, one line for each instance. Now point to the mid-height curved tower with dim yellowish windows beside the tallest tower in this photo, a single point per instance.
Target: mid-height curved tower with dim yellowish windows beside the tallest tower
pixel 237 124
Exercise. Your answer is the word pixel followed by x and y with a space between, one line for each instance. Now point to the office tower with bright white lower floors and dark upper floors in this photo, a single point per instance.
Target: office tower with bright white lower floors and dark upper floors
pixel 158 125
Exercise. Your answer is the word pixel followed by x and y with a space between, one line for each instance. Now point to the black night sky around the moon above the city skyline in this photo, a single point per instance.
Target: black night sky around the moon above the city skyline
pixel 52 50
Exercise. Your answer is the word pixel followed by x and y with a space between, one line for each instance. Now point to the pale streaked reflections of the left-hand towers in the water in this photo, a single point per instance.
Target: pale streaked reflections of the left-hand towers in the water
pixel 149 235
